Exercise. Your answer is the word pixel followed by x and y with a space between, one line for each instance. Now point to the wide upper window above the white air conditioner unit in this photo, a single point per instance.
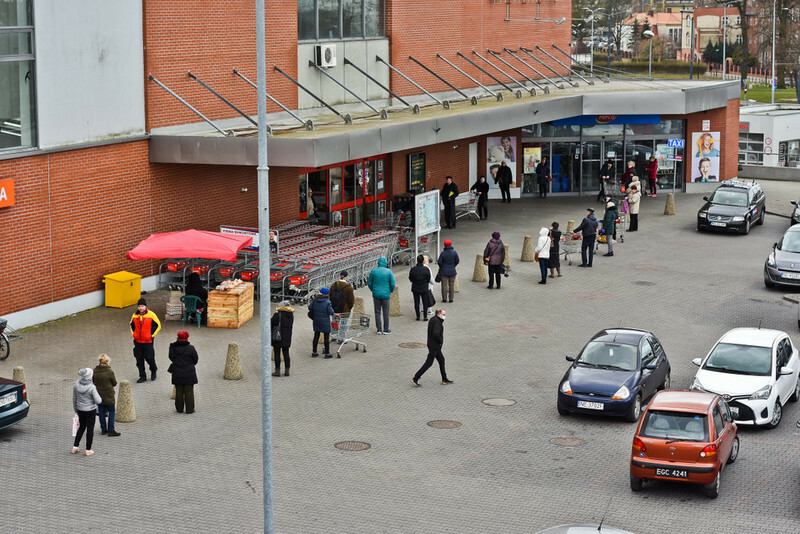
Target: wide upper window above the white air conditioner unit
pixel 321 20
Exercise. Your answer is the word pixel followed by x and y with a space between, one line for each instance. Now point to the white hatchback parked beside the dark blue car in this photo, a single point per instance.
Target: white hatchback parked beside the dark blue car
pixel 755 370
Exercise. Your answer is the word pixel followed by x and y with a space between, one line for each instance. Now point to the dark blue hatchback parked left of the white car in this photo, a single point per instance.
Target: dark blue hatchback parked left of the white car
pixel 614 374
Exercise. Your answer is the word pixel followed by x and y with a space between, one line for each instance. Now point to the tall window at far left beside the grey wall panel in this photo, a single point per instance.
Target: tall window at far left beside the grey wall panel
pixel 17 75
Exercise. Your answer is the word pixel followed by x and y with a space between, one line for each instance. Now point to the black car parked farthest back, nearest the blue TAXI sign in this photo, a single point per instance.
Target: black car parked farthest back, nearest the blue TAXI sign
pixel 733 207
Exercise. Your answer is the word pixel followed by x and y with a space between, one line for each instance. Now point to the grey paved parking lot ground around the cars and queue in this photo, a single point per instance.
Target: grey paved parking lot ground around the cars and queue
pixel 515 468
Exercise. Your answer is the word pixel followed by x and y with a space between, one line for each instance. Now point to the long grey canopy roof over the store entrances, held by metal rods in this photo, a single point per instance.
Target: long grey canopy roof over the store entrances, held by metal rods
pixel 333 142
